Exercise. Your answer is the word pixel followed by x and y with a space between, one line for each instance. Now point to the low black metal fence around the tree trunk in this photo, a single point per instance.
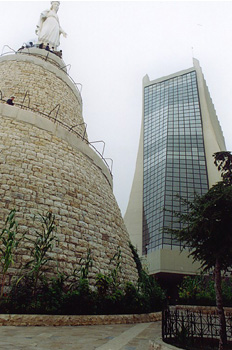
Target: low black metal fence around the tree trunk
pixel 184 326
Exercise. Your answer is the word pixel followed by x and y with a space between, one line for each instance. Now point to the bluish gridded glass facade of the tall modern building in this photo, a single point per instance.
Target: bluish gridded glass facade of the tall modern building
pixel 174 155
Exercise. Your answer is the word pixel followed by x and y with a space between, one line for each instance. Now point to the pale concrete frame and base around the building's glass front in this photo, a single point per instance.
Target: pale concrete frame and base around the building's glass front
pixel 172 260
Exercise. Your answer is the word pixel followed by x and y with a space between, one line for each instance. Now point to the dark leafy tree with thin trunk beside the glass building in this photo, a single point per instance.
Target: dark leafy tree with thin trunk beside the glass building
pixel 207 231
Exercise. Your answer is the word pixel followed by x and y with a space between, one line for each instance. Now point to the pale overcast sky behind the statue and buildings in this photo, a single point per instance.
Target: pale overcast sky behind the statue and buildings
pixel 112 45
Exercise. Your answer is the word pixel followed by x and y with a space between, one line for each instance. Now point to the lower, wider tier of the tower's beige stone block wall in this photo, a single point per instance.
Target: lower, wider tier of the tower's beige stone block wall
pixel 41 172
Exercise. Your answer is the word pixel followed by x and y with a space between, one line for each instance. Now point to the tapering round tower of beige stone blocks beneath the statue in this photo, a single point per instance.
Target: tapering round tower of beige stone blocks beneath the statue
pixel 46 163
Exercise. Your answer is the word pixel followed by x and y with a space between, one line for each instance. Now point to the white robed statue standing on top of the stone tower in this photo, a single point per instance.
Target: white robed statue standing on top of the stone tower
pixel 48 28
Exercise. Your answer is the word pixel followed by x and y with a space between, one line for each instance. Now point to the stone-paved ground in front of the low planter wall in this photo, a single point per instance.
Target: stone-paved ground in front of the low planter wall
pixel 108 337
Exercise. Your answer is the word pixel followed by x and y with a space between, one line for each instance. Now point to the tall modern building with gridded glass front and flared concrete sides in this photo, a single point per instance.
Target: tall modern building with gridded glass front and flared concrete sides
pixel 180 132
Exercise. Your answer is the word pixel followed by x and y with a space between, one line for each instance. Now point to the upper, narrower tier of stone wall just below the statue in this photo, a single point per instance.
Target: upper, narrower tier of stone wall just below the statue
pixel 48 89
